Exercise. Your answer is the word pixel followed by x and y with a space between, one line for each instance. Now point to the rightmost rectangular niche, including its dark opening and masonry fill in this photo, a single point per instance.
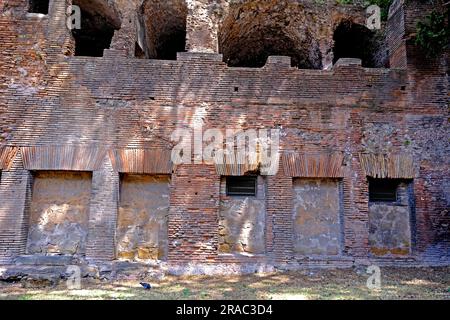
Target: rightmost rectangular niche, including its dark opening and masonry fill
pixel 390 217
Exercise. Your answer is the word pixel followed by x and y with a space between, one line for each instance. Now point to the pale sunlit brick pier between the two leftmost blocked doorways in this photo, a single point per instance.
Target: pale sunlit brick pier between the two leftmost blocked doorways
pixel 103 214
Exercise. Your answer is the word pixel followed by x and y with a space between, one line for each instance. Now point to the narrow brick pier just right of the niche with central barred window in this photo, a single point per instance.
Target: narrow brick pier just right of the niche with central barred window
pixel 279 229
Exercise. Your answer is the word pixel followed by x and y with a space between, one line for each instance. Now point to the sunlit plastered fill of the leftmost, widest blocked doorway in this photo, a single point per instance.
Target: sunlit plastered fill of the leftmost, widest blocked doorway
pixel 59 213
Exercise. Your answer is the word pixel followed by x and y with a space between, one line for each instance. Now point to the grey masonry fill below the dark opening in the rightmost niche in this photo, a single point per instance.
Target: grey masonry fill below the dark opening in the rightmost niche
pixel 390 225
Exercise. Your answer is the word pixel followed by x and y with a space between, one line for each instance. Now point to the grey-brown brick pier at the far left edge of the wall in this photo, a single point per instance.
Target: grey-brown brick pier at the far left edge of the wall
pixel 15 198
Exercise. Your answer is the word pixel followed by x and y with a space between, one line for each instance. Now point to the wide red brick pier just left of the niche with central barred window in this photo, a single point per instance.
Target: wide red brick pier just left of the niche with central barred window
pixel 194 214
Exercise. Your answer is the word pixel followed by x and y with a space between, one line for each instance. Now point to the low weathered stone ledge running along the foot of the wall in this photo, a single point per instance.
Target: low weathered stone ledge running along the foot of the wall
pixel 46 274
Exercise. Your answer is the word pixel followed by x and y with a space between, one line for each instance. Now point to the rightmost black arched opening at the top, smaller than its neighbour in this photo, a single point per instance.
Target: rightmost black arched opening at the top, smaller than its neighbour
pixel 356 41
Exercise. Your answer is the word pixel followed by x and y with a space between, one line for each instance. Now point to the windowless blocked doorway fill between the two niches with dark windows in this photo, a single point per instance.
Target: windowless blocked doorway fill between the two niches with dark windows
pixel 316 217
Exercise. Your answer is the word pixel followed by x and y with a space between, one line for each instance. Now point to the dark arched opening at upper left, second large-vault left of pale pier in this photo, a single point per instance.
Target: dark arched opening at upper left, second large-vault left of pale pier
pixel 98 23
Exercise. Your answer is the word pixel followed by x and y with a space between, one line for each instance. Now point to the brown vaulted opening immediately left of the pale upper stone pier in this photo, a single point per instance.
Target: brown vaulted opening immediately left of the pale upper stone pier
pixel 164 28
